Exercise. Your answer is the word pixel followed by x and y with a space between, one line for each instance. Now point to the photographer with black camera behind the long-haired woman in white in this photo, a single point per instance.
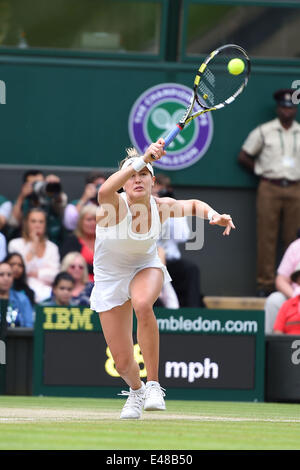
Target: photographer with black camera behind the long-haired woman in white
pixel 45 193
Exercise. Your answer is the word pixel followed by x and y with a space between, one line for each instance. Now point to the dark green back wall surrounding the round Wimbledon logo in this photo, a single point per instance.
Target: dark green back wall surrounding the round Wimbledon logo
pixel 67 112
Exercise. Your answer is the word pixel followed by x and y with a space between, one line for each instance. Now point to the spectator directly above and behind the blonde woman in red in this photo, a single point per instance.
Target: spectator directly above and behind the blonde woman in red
pixel 94 180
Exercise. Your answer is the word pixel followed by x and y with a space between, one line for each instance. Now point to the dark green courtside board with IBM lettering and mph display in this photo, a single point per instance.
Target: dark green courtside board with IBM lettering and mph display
pixel 204 354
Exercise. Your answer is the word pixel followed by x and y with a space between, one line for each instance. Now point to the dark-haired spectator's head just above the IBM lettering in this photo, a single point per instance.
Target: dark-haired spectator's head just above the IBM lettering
pixel 62 287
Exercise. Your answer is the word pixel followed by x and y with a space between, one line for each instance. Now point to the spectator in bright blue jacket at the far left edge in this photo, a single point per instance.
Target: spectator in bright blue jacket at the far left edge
pixel 19 309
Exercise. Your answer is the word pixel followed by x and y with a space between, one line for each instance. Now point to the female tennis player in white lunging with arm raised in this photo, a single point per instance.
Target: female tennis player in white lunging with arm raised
pixel 129 273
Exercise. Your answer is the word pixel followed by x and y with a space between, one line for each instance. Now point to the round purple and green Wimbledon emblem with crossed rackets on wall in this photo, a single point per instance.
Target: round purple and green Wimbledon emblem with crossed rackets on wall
pixel 156 112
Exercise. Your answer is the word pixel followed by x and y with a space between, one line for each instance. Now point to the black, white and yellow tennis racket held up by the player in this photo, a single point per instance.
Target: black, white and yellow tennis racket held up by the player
pixel 214 85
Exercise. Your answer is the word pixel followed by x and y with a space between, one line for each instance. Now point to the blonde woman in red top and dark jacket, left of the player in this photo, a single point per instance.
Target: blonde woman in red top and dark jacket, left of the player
pixel 83 239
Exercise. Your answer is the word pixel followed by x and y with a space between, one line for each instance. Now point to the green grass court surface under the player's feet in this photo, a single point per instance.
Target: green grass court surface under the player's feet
pixel 56 423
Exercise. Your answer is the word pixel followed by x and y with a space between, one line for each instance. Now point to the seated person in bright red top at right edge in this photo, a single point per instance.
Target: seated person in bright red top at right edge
pixel 288 317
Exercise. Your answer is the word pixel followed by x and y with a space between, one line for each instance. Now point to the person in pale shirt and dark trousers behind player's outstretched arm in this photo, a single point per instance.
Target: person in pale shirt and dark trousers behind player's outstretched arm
pixel 185 274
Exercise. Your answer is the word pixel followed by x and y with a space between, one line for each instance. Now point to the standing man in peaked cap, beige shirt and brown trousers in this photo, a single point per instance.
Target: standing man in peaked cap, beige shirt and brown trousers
pixel 272 152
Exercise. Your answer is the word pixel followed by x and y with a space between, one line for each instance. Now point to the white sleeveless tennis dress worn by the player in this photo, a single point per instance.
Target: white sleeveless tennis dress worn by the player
pixel 119 255
